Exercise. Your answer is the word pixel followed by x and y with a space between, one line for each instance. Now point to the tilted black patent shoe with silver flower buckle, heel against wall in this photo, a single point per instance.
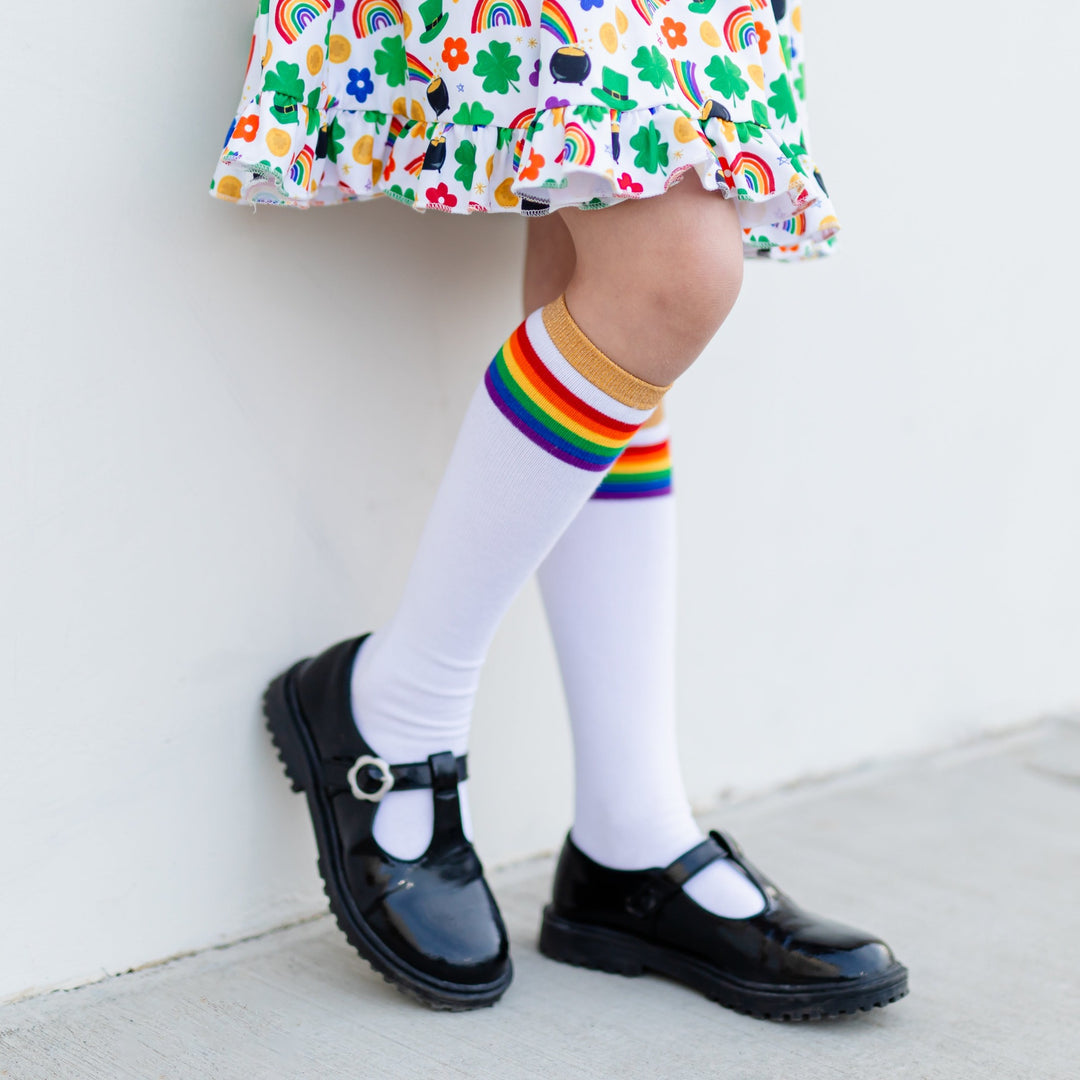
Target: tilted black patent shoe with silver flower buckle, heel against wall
pixel 430 926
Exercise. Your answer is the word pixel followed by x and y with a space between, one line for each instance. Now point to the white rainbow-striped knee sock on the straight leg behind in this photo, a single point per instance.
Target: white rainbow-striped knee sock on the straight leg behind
pixel 609 588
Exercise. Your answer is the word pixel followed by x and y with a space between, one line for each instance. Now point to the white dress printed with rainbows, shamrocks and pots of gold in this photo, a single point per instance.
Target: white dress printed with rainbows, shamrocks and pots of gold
pixel 528 106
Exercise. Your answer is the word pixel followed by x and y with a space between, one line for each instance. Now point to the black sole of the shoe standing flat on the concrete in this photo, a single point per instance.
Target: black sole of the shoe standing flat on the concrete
pixel 623 954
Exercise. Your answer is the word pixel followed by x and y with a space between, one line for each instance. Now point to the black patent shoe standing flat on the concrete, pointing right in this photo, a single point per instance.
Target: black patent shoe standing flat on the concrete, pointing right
pixel 784 964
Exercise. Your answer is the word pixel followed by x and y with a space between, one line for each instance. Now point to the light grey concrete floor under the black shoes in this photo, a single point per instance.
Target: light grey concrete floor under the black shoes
pixel 968 863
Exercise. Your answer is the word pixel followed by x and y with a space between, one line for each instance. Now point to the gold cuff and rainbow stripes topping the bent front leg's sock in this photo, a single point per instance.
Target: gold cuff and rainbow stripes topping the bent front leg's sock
pixel 560 391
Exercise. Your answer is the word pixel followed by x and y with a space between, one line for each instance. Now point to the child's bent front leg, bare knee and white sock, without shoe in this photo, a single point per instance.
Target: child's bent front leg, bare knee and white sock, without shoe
pixel 555 411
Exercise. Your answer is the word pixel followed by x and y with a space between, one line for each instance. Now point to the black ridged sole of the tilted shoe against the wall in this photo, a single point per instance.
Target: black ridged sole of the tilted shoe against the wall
pixel 296 750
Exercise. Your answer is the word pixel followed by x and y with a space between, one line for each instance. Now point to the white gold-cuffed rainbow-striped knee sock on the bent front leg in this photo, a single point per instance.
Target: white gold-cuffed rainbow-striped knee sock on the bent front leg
pixel 546 424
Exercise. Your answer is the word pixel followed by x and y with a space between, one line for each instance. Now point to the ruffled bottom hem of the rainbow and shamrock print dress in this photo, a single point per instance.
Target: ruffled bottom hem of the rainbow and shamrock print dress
pixel 587 157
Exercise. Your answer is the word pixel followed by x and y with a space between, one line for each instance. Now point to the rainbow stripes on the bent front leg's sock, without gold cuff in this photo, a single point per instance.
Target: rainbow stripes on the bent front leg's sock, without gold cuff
pixel 549 414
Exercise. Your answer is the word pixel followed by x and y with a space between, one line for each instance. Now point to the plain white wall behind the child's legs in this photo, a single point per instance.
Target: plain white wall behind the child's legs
pixel 221 433
